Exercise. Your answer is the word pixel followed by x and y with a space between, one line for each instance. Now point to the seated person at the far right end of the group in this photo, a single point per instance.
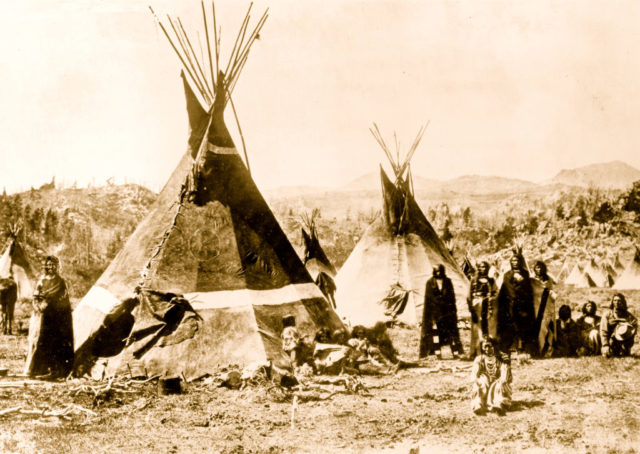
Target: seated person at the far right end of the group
pixel 618 328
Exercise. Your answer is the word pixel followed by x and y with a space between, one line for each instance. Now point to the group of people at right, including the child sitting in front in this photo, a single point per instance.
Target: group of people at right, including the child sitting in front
pixel 505 318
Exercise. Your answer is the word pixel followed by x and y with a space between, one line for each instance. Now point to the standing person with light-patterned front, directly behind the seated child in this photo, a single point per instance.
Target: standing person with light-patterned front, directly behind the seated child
pixel 481 302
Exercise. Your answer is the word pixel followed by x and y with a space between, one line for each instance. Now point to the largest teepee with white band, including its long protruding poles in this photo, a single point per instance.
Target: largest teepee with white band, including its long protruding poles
pixel 210 269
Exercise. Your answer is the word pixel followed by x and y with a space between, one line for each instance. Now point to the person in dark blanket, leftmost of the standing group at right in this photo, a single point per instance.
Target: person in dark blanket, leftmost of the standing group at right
pixel 439 307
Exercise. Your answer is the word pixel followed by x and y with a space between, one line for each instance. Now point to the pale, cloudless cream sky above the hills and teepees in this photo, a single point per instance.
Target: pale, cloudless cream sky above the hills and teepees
pixel 90 90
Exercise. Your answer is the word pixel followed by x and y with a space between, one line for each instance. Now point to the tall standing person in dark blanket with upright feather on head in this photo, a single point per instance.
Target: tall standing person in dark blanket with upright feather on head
pixel 516 313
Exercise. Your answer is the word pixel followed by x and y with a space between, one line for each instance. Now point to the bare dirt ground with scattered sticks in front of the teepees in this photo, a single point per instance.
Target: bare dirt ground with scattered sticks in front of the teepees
pixel 560 405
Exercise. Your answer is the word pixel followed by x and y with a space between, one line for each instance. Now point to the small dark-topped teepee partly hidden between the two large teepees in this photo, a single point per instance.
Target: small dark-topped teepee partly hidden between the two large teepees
pixel 316 261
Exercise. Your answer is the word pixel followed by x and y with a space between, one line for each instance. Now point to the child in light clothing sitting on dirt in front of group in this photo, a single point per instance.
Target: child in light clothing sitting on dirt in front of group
pixel 491 375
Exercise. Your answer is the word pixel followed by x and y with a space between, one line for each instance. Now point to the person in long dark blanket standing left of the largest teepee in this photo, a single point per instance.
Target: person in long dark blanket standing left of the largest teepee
pixel 50 330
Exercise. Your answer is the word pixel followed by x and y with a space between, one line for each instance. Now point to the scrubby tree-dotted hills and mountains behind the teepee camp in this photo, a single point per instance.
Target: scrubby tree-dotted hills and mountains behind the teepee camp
pixel 87 227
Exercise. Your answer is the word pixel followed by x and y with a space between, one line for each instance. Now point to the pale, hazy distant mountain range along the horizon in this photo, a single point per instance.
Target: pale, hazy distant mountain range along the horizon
pixel 608 175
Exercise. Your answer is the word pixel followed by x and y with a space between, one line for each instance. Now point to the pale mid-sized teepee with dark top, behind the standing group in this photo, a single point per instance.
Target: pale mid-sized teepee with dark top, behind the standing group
pixel 384 276
